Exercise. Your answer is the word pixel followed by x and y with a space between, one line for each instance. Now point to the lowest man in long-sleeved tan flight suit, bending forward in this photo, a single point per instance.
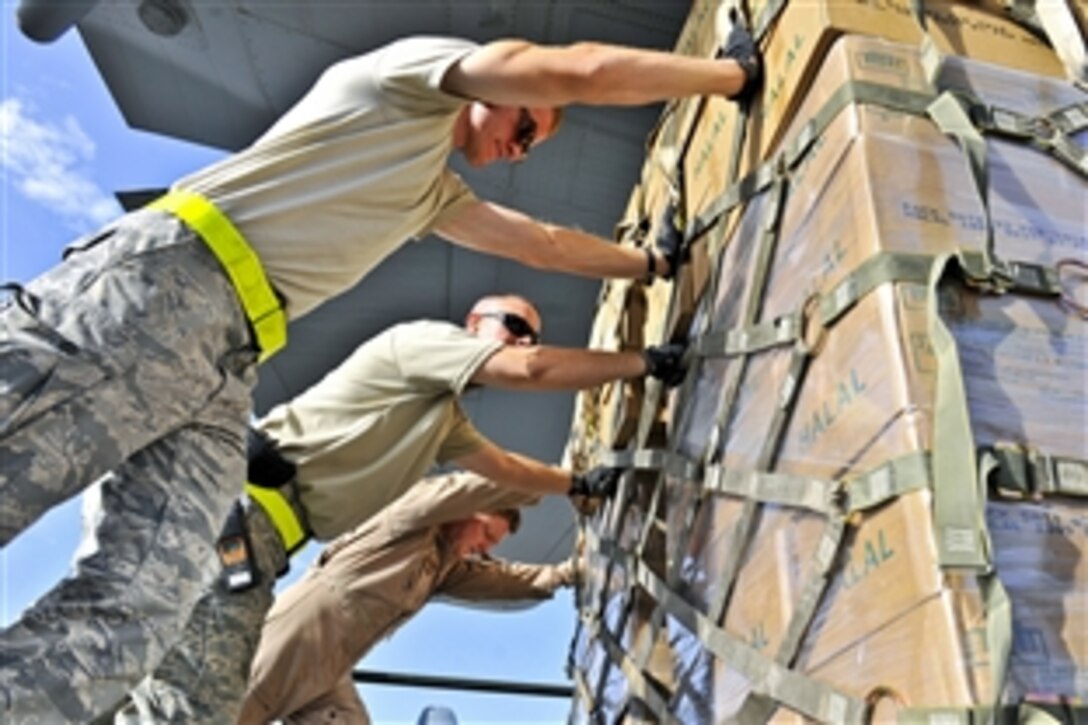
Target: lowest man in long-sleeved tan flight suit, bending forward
pixel 369 581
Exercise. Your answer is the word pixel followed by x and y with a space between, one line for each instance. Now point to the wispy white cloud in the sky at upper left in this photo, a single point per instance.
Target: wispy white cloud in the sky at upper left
pixel 48 163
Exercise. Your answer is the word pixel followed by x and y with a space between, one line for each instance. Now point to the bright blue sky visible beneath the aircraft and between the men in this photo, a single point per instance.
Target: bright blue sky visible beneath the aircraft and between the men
pixel 66 150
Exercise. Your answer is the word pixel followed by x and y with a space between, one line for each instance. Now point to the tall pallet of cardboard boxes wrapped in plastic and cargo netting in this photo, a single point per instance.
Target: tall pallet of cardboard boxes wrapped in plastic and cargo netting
pixel 869 501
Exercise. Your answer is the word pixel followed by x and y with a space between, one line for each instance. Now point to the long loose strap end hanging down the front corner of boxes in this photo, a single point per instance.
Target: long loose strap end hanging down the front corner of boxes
pixel 958 495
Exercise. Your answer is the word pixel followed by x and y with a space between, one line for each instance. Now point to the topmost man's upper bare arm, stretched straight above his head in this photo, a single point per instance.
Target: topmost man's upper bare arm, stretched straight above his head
pixel 521 73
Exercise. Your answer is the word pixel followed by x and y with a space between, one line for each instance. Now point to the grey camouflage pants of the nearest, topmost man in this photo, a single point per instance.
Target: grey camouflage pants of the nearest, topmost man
pixel 132 357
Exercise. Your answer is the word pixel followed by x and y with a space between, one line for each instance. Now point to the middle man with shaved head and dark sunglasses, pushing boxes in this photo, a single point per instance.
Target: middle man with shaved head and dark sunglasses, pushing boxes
pixel 358 439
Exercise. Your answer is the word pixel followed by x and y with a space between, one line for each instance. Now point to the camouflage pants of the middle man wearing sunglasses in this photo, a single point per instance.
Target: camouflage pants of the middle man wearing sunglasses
pixel 204 678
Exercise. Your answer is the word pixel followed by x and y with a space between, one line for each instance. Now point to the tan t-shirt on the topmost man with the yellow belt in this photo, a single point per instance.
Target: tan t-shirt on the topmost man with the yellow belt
pixel 349 175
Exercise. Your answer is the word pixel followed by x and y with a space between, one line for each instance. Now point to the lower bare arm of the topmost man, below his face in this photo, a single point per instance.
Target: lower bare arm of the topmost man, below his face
pixel 497 230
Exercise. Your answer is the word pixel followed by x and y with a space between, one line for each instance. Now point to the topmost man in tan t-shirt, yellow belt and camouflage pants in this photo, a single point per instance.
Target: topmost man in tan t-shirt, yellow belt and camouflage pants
pixel 138 353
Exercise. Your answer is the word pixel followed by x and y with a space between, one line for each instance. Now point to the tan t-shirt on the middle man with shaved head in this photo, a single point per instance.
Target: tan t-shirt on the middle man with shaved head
pixel 374 427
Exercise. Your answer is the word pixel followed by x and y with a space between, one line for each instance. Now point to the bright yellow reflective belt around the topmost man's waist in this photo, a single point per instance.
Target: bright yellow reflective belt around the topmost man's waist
pixel 240 262
